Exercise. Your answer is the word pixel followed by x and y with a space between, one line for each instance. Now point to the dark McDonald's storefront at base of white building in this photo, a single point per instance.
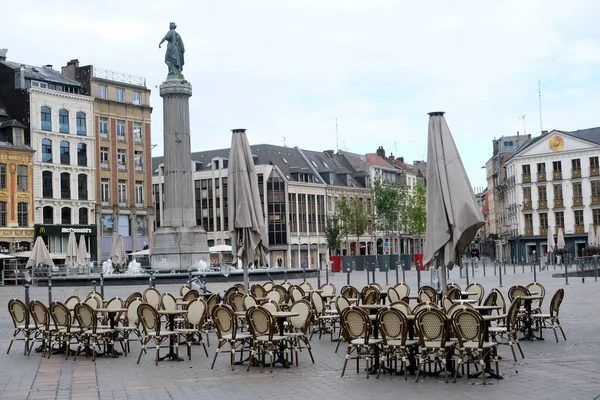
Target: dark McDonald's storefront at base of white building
pixel 56 237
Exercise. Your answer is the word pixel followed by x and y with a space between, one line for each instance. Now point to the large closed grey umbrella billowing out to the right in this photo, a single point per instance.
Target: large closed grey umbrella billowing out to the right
pixel 453 216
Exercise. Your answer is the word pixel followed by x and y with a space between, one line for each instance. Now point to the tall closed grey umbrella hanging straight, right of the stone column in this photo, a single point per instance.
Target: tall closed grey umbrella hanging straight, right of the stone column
pixel 246 218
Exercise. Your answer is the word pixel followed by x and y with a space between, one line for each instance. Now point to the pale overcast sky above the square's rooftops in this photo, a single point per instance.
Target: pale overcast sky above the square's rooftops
pixel 289 68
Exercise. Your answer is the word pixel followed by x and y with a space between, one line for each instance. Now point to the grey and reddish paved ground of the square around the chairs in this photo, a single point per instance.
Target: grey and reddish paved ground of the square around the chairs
pixel 565 370
